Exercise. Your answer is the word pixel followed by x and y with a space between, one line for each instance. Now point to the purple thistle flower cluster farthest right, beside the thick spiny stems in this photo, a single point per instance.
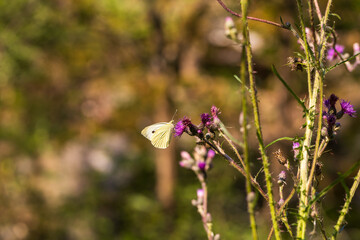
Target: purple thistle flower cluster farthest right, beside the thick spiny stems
pixel 331 115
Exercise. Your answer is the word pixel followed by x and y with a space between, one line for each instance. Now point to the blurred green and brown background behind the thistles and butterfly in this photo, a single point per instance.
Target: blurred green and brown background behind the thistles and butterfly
pixel 79 80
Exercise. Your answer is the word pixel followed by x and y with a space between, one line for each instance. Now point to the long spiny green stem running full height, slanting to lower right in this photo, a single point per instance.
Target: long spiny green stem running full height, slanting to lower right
pixel 268 179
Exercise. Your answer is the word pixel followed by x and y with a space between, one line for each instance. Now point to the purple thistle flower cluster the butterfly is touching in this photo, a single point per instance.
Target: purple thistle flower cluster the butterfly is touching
pixel 210 122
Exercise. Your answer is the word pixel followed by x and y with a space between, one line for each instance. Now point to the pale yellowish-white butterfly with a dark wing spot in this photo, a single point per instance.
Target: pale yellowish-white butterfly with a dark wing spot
pixel 159 134
